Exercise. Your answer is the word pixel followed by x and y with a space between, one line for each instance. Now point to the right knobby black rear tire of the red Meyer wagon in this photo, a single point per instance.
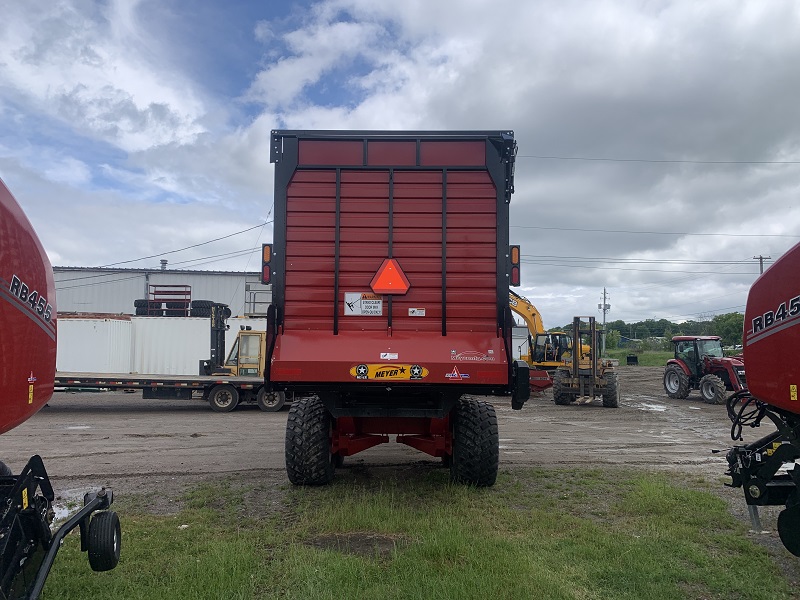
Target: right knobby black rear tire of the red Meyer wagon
pixel 476 443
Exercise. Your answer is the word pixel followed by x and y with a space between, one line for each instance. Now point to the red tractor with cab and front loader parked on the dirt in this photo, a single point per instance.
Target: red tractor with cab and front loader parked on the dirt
pixel 700 364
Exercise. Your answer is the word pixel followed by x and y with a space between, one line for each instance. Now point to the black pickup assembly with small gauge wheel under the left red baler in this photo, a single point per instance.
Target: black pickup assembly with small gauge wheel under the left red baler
pixel 27 545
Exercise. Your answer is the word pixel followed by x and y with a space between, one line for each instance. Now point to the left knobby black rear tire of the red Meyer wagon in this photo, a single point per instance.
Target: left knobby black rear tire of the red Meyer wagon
pixel 308 443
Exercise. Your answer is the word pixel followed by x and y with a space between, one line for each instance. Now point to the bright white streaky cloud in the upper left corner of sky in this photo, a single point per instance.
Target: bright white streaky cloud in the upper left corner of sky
pixel 97 71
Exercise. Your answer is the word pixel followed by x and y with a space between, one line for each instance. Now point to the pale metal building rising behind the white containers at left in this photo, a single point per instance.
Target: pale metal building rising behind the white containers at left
pixel 114 290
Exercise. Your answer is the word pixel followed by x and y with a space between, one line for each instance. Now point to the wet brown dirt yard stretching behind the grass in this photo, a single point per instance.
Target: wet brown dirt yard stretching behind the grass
pixel 136 446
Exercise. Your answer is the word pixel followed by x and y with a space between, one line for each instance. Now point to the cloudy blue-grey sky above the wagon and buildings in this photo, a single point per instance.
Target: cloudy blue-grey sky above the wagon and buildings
pixel 659 142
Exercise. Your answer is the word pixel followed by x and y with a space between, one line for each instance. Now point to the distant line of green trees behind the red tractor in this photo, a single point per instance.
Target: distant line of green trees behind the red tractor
pixel 655 334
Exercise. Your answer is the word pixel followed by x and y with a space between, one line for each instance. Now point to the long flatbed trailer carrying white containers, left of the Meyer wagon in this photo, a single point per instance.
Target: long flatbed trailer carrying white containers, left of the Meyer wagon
pixel 223 392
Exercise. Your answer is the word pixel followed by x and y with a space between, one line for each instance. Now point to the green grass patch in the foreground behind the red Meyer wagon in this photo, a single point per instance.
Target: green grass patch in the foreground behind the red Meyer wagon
pixel 589 534
